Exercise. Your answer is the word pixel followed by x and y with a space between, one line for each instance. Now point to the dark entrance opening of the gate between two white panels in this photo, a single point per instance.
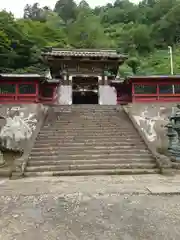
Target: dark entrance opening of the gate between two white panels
pixel 85 90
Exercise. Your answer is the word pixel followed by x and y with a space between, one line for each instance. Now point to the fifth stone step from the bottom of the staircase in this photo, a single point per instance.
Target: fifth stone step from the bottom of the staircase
pixel 49 152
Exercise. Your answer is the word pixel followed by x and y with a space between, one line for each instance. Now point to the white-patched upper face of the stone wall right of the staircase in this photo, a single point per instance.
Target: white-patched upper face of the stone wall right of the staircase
pixel 152 119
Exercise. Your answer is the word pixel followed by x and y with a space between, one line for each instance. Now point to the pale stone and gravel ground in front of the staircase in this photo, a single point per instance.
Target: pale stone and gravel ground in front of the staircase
pixel 90 208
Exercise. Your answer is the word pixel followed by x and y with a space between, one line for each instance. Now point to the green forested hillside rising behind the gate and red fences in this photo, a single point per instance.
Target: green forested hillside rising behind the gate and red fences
pixel 143 31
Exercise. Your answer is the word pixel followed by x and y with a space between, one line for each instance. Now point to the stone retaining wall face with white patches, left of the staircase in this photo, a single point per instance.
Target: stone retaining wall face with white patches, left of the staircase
pixel 19 124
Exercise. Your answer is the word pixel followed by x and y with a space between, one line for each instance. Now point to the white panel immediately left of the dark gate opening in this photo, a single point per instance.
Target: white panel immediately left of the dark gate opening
pixel 65 95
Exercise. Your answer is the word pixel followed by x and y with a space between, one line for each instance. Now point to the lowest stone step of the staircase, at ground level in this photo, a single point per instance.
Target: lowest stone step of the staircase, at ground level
pixel 93 172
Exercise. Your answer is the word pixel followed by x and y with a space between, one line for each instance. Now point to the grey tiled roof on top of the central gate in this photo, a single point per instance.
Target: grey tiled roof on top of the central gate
pixel 83 53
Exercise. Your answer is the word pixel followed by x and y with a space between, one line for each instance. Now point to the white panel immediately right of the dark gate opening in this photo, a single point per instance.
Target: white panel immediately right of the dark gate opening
pixel 107 95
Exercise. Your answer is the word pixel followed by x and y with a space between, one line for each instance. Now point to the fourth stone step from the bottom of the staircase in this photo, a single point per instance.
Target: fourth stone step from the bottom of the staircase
pixel 92 156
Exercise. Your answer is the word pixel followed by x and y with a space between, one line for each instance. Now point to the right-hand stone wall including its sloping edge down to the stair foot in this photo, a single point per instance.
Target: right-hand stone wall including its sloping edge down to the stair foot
pixel 150 121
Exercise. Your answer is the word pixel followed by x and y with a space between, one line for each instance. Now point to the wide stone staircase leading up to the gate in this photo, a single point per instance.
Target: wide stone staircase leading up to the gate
pixel 89 140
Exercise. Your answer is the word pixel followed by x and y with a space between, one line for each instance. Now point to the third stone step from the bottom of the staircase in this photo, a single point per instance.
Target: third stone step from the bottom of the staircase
pixel 89 162
